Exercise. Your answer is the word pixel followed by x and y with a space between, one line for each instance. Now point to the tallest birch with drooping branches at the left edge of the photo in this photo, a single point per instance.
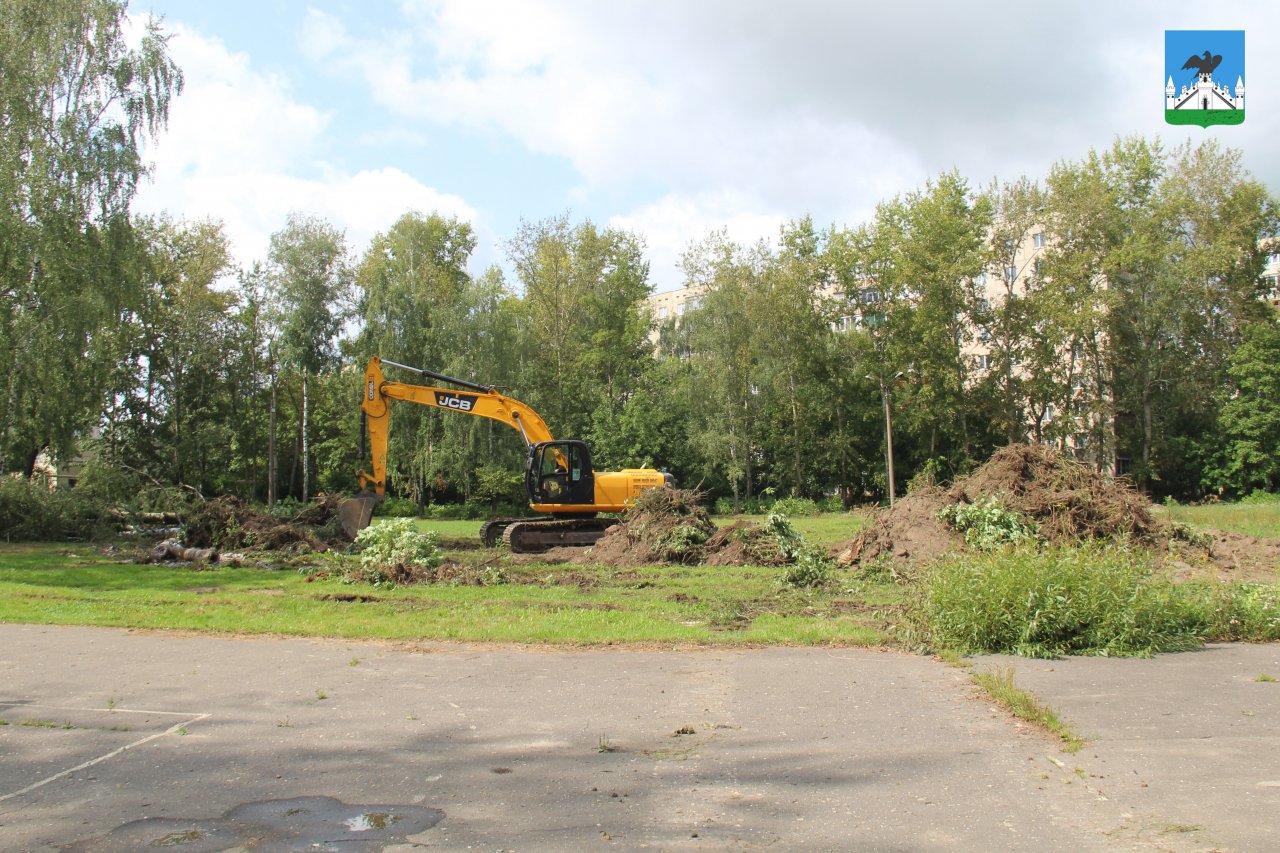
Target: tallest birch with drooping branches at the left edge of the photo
pixel 76 104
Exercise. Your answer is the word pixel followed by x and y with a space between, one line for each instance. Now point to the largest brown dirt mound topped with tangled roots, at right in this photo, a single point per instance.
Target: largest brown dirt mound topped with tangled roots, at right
pixel 1068 500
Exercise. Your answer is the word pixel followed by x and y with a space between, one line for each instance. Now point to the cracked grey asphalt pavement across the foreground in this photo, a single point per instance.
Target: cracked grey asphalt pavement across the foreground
pixel 122 741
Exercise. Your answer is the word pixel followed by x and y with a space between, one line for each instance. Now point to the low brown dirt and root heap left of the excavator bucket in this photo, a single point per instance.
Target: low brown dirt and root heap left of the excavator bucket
pixel 227 523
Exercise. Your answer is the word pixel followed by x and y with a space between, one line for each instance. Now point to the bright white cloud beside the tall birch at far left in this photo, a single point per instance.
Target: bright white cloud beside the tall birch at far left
pixel 241 149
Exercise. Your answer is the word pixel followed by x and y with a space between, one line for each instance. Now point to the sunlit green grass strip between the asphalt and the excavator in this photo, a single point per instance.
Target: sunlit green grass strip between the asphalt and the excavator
pixel 542 604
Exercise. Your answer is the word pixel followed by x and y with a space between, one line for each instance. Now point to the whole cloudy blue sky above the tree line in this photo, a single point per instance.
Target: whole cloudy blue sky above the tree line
pixel 664 117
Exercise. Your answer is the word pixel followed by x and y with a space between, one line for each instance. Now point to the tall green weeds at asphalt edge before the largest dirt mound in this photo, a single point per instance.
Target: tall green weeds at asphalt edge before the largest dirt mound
pixel 1069 601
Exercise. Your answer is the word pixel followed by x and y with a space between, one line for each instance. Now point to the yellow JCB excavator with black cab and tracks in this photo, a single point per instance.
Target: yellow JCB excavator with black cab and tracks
pixel 560 481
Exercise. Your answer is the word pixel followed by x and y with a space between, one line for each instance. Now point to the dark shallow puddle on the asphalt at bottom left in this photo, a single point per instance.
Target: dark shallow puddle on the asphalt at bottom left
pixel 273 827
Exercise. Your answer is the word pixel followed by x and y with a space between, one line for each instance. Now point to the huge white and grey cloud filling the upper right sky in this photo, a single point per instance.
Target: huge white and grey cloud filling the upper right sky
pixel 802 106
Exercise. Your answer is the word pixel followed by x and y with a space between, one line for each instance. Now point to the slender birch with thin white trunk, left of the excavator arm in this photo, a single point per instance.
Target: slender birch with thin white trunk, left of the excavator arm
pixel 312 282
